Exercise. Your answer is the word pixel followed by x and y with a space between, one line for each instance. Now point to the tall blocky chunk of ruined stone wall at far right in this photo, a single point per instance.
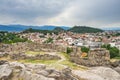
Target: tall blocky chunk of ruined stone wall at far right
pixel 99 56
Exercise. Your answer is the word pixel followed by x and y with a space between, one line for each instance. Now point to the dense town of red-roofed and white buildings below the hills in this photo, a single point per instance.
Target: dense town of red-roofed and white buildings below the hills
pixel 91 40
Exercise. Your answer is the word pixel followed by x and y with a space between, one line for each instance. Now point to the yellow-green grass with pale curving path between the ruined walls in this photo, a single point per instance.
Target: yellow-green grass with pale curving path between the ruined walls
pixel 57 64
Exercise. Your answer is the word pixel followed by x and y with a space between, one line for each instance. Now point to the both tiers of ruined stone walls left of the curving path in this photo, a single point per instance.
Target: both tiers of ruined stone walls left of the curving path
pixel 17 51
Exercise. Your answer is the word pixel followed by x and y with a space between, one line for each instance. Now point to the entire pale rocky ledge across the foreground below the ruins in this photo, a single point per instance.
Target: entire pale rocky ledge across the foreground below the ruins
pixel 20 71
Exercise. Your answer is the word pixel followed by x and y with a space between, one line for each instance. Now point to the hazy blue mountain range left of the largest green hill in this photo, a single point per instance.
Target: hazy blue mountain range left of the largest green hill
pixel 18 28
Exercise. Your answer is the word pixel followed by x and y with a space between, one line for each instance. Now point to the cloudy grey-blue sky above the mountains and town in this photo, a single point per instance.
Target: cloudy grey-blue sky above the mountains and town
pixel 94 13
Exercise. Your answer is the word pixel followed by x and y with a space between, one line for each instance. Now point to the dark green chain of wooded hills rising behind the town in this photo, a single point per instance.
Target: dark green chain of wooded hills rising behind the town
pixel 76 29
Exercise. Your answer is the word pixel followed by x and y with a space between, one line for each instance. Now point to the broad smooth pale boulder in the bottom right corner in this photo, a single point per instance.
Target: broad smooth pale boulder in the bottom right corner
pixel 98 73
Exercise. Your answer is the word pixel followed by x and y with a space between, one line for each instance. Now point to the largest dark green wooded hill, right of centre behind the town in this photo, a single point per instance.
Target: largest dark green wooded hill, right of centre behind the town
pixel 84 29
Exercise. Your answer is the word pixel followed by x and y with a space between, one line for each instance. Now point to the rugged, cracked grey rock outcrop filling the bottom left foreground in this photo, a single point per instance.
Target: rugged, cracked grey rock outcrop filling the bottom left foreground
pixel 19 71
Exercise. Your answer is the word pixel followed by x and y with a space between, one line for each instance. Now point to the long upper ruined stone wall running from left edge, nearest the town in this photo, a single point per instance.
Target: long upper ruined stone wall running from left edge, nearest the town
pixel 23 47
